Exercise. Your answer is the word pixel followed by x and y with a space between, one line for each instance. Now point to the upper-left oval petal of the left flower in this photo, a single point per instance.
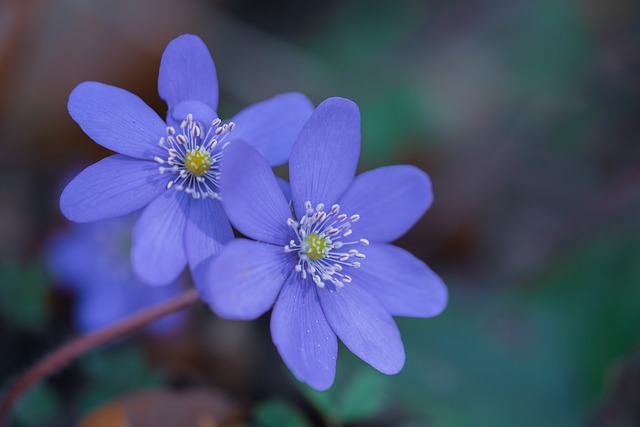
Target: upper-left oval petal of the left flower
pixel 117 120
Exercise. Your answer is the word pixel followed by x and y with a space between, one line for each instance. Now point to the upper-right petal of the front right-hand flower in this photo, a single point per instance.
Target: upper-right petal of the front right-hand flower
pixel 389 200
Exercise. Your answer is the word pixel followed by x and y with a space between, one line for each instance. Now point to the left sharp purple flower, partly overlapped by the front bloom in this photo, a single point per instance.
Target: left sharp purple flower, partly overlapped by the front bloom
pixel 172 168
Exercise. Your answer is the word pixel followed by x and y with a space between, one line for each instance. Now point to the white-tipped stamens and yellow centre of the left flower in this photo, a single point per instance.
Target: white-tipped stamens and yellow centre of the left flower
pixel 194 157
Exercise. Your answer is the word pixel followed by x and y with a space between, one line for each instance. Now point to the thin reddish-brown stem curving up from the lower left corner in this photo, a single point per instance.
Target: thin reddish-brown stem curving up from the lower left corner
pixel 85 343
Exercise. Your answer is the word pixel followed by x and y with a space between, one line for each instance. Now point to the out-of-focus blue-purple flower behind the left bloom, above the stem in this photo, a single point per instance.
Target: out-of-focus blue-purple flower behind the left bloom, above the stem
pixel 92 262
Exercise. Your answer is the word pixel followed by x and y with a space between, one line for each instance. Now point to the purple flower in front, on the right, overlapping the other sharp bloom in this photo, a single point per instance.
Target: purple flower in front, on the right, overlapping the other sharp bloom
pixel 328 267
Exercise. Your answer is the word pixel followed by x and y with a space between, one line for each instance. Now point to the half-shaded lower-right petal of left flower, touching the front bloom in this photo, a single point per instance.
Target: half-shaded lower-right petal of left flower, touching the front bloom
pixel 207 230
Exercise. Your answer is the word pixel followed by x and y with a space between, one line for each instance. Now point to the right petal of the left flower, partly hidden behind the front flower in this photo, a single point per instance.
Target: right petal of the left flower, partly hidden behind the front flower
pixel 272 126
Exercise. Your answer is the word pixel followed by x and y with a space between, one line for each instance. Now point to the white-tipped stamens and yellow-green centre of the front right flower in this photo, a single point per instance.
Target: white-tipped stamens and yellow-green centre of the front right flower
pixel 320 238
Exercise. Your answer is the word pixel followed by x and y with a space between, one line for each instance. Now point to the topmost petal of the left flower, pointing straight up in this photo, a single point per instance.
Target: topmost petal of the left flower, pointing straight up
pixel 187 73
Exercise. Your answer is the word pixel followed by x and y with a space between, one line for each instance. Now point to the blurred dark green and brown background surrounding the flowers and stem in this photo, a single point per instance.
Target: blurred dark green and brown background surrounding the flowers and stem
pixel 525 113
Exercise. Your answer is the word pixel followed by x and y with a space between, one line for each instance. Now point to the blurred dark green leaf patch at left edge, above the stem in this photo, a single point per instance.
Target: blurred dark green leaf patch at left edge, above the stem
pixel 24 293
